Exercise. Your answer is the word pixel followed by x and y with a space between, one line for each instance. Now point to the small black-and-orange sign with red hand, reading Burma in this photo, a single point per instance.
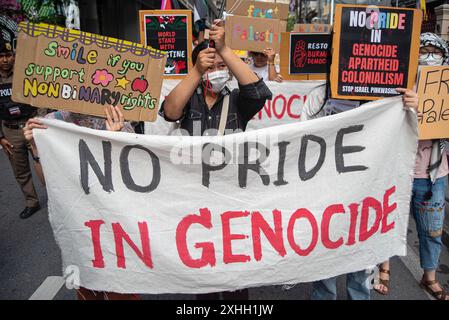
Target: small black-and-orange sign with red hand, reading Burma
pixel 305 55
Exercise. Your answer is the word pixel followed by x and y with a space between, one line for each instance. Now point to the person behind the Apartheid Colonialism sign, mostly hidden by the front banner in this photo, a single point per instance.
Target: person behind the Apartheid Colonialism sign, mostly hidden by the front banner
pixel 318 105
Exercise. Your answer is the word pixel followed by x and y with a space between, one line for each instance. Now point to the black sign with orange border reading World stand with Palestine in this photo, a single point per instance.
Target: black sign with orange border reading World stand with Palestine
pixel 170 31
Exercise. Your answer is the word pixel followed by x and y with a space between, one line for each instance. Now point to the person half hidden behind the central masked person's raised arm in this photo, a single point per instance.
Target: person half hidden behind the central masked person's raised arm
pixel 263 65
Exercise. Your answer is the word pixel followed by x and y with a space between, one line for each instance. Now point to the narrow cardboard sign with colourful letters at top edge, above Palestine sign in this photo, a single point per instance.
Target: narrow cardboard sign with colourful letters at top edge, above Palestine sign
pixel 258 9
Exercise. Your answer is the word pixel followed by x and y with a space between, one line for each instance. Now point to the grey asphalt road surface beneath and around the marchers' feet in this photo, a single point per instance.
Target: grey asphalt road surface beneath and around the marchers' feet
pixel 29 254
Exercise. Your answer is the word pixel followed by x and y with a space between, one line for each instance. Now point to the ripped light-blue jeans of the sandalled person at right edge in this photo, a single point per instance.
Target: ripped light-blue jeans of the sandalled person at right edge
pixel 429 217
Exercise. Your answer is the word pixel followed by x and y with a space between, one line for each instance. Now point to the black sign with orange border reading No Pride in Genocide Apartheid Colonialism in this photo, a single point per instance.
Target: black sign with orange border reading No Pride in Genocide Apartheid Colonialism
pixel 375 50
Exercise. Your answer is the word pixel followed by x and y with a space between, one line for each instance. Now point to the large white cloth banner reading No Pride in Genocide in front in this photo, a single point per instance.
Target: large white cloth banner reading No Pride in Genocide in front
pixel 282 205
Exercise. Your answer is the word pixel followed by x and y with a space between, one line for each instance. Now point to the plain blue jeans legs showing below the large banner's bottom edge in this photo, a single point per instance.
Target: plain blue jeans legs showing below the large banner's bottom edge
pixel 356 287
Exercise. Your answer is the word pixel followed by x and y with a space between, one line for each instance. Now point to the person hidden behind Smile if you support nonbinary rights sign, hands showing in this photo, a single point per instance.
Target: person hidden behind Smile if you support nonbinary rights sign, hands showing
pixel 114 122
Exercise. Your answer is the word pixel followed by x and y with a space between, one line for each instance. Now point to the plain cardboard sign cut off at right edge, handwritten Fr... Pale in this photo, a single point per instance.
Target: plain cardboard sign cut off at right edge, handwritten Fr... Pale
pixel 433 92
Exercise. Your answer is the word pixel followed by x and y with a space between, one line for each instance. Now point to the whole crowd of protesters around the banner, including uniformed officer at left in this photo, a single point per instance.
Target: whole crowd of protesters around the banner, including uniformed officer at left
pixel 203 99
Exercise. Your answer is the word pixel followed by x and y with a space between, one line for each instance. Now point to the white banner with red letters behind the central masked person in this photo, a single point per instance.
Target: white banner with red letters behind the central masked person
pixel 285 107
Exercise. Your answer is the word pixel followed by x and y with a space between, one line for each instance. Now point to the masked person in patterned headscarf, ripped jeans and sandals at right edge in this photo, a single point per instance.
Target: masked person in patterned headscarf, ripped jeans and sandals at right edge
pixel 428 199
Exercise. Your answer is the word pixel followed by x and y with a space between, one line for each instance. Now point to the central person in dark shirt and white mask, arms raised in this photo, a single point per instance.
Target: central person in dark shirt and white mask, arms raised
pixel 202 103
